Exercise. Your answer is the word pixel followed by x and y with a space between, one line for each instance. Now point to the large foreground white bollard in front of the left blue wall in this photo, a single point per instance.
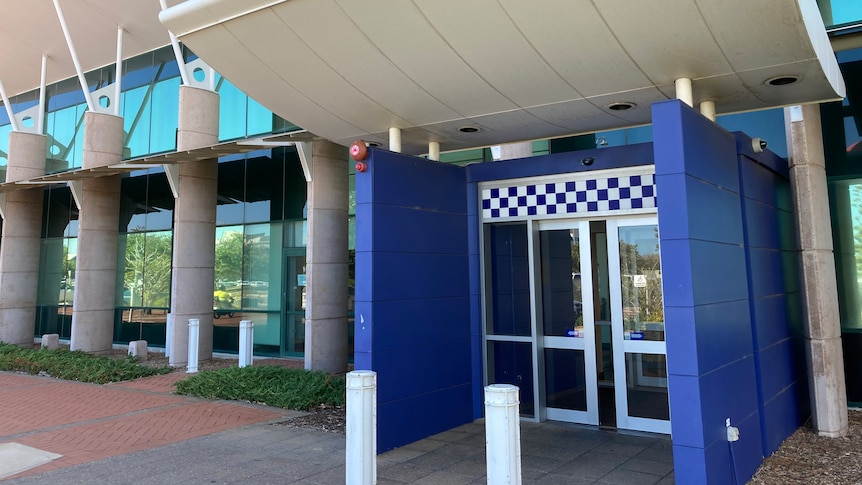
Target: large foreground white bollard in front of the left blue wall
pixel 361 464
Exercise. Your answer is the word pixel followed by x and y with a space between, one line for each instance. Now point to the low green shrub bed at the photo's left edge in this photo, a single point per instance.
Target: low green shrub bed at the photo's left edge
pixel 74 365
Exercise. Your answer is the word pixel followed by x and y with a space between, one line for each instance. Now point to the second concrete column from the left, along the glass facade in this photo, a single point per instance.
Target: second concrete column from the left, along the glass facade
pixel 98 235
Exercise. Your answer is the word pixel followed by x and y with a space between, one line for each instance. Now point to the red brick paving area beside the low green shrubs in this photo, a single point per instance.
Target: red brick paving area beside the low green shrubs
pixel 90 422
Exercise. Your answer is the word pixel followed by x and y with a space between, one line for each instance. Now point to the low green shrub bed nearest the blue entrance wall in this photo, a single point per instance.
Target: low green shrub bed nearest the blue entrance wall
pixel 274 386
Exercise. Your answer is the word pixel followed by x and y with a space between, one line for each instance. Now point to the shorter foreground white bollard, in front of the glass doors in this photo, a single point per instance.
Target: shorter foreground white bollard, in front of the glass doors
pixel 502 434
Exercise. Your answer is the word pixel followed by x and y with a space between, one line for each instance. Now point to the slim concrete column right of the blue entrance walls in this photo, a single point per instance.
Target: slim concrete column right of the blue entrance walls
pixel 820 293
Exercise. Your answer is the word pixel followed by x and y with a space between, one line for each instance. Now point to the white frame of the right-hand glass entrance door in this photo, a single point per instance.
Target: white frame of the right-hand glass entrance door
pixel 621 346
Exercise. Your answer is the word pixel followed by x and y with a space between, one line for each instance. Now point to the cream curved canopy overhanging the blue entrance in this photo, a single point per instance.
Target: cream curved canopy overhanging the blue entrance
pixel 515 70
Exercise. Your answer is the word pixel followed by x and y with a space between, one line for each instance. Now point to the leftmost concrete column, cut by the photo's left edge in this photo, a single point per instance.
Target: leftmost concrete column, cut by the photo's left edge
pixel 19 251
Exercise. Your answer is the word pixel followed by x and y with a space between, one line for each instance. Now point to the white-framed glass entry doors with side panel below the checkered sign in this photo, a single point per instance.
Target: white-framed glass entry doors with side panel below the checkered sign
pixel 576 320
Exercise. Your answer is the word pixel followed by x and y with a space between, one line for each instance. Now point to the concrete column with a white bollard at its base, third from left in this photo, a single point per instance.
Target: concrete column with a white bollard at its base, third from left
pixel 193 272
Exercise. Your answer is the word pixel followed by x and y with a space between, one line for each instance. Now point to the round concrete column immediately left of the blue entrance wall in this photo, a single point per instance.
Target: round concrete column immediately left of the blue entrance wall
pixel 326 260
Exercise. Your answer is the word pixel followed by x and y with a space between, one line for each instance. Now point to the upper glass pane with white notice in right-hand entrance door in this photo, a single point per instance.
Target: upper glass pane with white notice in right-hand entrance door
pixel 640 272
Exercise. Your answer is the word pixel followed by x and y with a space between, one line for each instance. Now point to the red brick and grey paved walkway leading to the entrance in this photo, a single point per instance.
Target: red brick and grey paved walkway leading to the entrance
pixel 139 433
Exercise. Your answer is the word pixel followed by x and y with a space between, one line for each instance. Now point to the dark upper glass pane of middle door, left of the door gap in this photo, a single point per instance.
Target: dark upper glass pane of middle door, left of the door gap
pixel 562 307
